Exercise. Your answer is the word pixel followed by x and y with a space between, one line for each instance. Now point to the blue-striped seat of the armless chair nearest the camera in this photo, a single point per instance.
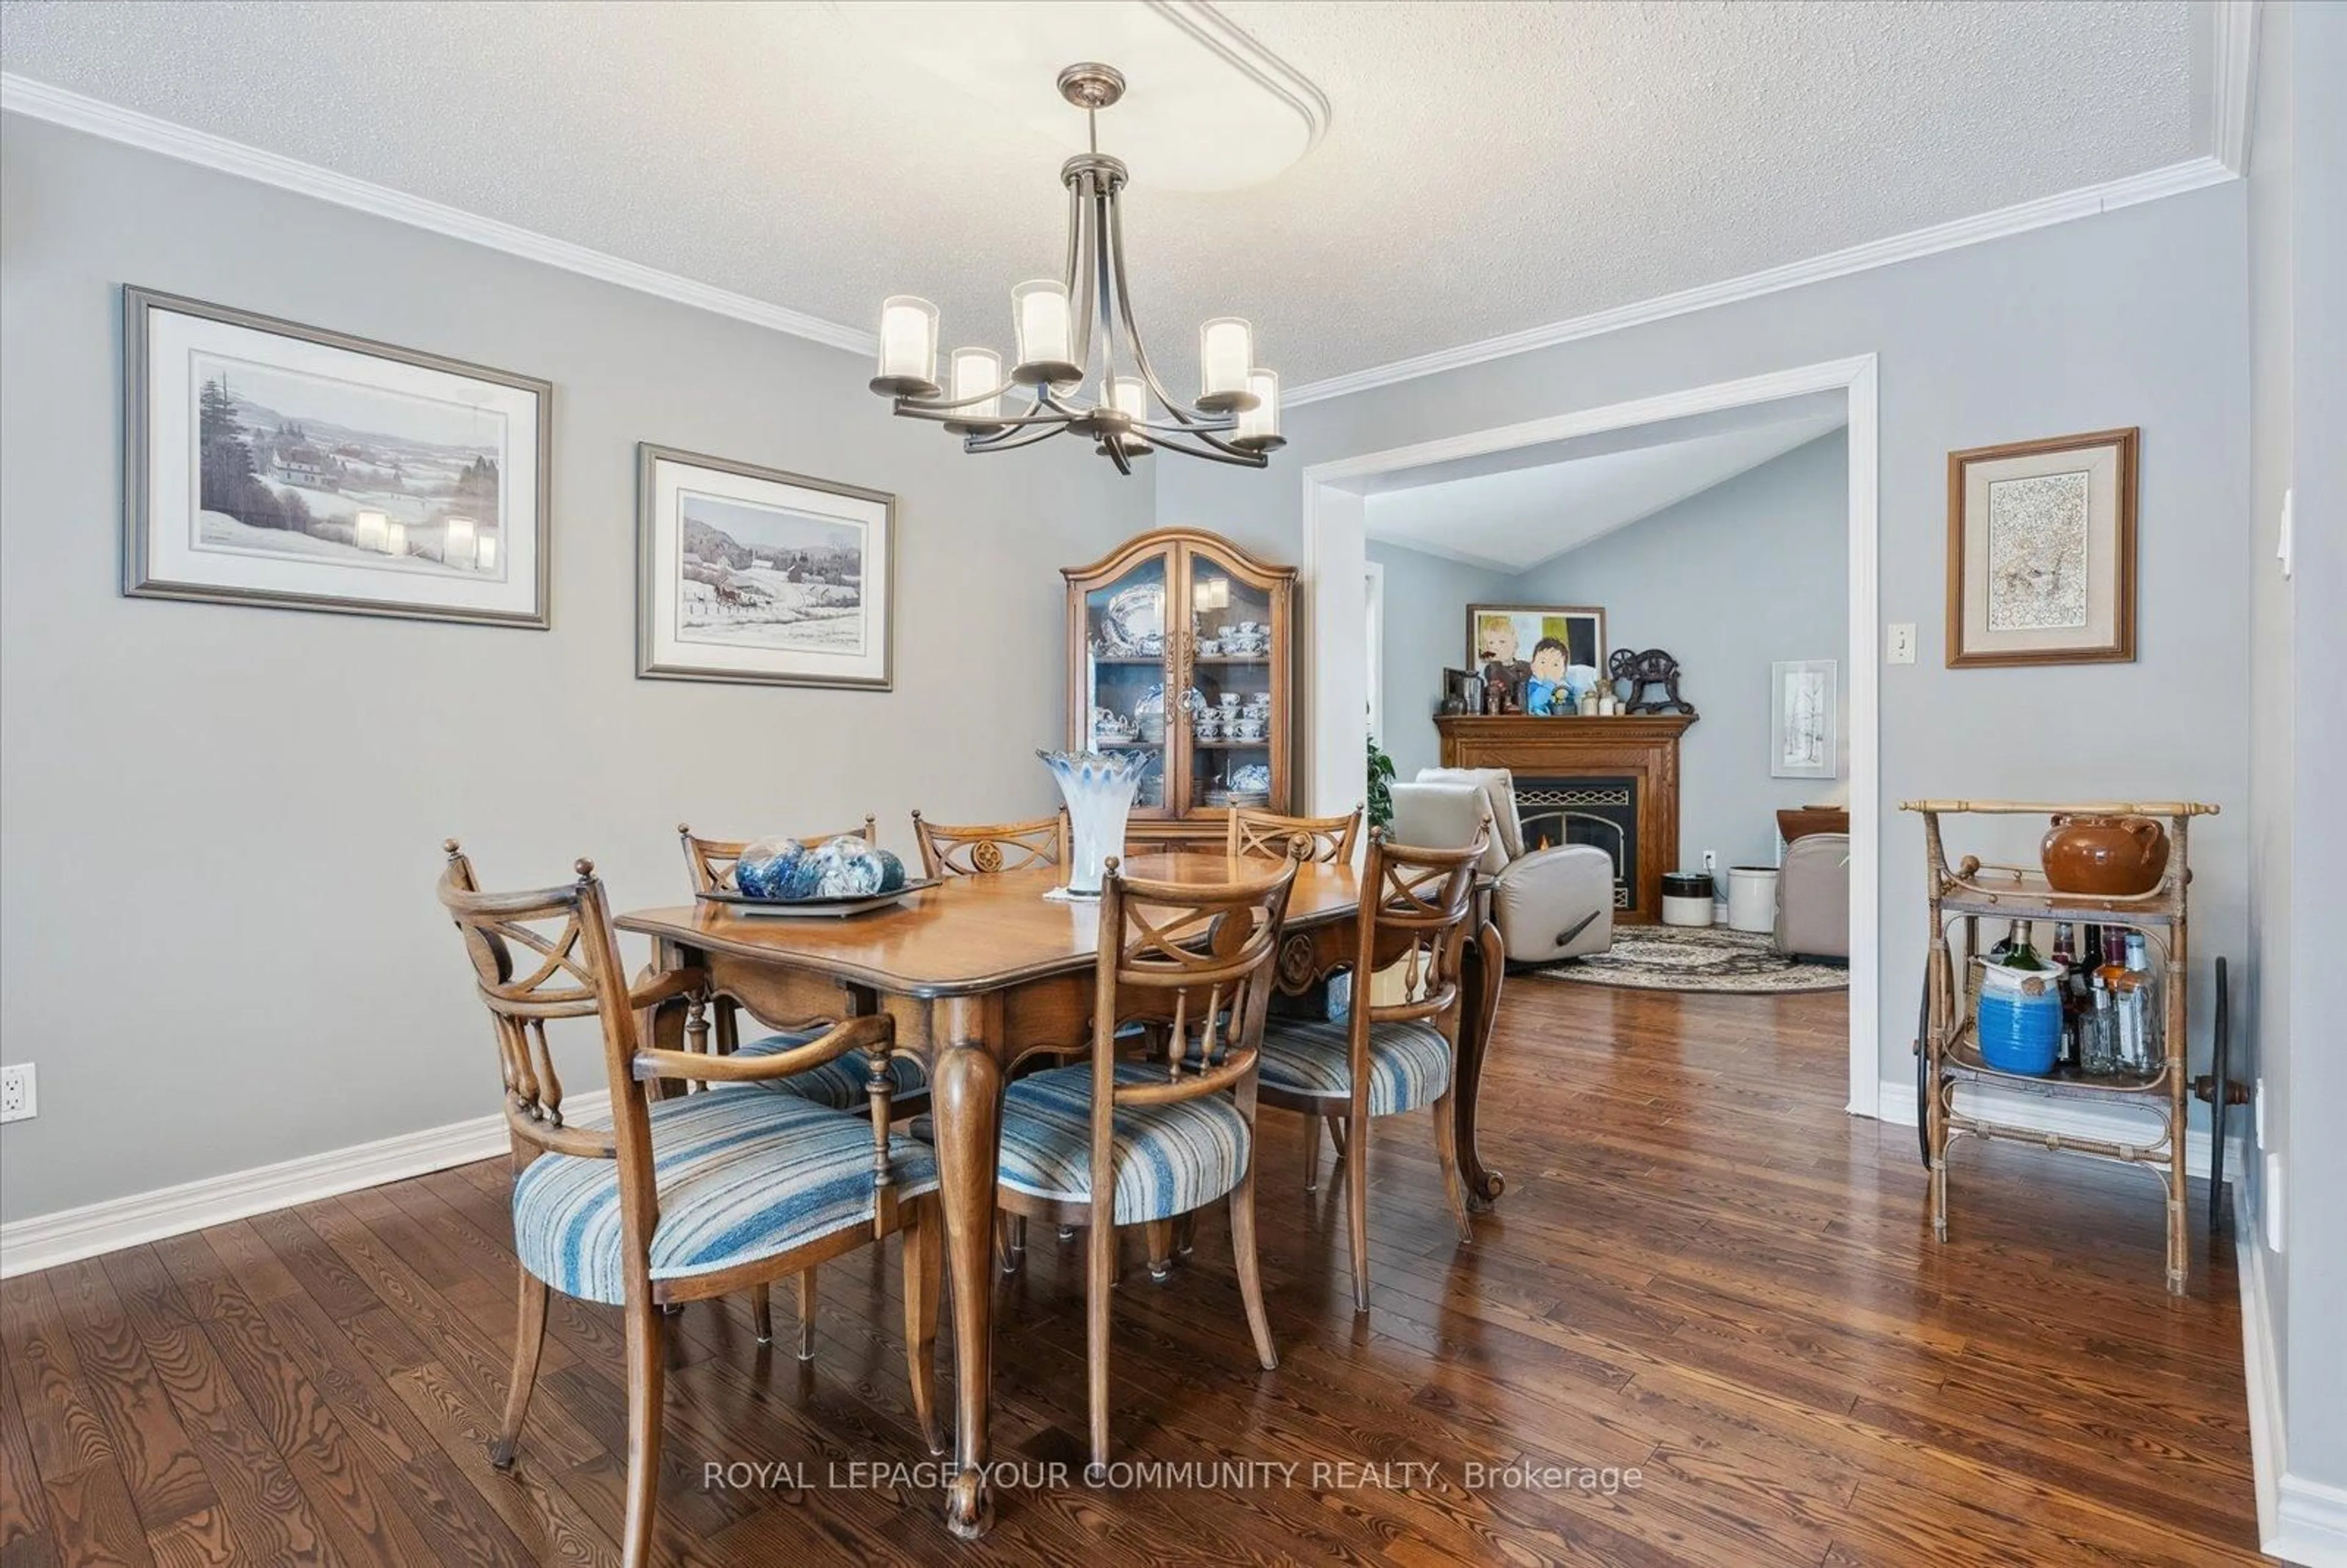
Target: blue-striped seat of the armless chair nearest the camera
pixel 1168 1158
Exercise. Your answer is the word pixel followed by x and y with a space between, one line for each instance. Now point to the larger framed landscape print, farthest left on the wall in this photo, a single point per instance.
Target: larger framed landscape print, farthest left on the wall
pixel 288 466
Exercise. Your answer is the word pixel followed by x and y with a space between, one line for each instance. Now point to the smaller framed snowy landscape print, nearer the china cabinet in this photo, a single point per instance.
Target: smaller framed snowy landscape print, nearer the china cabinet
pixel 750 574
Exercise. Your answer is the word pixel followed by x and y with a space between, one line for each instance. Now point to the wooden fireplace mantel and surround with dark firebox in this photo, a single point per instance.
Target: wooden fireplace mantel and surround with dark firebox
pixel 1609 783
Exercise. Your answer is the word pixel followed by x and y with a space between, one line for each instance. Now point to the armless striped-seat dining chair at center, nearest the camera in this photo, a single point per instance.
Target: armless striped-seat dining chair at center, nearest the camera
pixel 1121 1142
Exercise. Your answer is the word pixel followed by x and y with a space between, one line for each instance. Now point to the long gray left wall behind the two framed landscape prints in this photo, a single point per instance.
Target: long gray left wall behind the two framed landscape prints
pixel 222 825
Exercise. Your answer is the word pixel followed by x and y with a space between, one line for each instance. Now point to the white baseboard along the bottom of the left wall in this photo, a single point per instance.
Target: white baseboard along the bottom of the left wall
pixel 215 1201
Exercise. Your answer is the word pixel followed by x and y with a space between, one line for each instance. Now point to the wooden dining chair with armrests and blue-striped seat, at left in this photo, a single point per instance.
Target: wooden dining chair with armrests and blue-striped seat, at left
pixel 679 1198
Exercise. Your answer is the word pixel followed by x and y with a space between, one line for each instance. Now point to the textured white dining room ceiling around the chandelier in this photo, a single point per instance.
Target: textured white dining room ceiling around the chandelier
pixel 1487 168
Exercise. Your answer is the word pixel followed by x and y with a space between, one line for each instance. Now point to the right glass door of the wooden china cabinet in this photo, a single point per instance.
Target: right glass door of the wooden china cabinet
pixel 1236 729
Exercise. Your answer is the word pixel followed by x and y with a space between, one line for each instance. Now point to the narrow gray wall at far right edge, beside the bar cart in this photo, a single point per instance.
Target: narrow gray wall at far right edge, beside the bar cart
pixel 2299 637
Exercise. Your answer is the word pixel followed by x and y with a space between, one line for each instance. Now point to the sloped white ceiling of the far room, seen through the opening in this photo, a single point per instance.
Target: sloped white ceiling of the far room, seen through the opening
pixel 1560 496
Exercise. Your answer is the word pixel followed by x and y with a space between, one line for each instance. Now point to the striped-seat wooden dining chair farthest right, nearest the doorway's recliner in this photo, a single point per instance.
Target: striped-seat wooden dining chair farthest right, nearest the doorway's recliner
pixel 1386 1057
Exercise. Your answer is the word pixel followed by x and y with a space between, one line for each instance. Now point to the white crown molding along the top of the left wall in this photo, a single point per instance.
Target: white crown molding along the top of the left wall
pixel 76 111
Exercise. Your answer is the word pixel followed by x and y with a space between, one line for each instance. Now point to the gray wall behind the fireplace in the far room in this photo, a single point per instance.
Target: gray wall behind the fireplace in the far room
pixel 1729 581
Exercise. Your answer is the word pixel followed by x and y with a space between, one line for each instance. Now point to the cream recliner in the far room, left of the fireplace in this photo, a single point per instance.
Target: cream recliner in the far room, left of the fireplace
pixel 1550 903
